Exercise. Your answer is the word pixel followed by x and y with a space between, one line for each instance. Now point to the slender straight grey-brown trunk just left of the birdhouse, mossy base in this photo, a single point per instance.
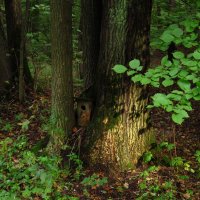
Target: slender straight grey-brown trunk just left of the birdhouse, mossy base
pixel 62 116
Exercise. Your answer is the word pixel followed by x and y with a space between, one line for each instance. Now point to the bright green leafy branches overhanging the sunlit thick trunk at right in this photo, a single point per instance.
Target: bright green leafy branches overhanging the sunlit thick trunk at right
pixel 183 72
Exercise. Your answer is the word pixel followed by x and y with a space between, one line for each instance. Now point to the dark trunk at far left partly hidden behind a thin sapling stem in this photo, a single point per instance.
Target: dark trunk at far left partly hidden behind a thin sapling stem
pixel 14 25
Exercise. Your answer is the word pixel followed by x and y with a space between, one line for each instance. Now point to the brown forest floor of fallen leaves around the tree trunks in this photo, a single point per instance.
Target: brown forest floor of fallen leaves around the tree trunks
pixel 182 181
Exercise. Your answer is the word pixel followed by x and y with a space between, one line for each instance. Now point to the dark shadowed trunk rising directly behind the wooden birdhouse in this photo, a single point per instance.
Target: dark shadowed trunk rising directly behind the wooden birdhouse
pixel 91 19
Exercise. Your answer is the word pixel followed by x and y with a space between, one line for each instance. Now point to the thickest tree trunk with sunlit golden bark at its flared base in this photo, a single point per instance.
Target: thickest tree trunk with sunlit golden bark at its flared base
pixel 119 132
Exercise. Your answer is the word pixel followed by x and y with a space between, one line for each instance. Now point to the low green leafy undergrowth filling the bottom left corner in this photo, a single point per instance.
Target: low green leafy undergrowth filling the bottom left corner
pixel 23 175
